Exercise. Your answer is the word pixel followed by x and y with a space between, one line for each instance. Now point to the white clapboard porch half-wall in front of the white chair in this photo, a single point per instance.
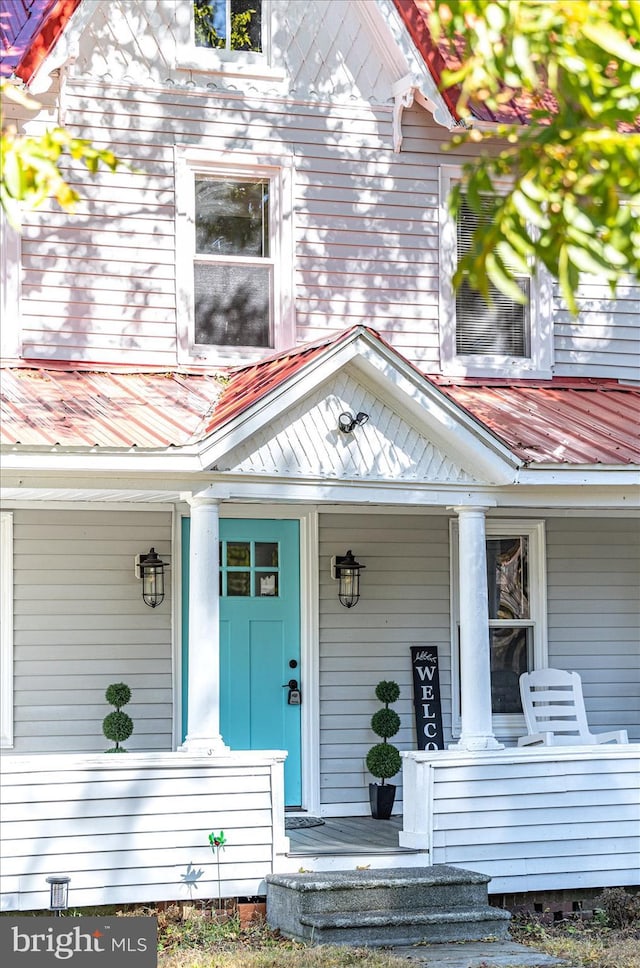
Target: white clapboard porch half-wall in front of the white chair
pixel 534 819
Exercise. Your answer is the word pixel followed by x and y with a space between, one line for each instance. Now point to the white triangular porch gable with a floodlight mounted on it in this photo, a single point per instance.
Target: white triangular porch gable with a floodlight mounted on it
pixel 305 442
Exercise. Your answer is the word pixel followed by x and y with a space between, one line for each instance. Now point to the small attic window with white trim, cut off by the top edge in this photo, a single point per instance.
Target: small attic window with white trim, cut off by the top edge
pixel 227 37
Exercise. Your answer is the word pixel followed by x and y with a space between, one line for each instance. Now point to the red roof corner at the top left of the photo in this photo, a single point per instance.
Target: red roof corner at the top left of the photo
pixel 29 29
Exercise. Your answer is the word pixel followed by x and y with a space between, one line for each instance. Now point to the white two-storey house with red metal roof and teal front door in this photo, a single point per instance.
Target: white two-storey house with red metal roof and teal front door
pixel 243 351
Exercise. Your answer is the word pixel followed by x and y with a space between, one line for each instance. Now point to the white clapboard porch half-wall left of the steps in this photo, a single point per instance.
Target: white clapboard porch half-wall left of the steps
pixel 133 828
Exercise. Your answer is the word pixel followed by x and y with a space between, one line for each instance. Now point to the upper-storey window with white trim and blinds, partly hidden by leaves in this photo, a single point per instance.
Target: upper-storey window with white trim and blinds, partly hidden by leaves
pixel 505 338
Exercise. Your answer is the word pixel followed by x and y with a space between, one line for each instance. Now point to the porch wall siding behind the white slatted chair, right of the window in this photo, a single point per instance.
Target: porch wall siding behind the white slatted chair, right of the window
pixel 594 614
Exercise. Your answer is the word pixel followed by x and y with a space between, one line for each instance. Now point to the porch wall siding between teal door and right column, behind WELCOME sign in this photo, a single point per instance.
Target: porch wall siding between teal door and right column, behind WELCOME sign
pixel 404 601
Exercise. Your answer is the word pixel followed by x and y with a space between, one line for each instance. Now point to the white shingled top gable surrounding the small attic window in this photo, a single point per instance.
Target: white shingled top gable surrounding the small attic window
pixel 317 51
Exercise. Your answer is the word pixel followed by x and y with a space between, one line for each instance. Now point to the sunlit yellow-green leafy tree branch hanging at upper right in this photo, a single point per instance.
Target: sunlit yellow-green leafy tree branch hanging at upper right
pixel 565 188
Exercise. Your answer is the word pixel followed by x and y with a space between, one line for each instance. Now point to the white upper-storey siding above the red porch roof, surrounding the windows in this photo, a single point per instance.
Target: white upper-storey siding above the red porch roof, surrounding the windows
pixel 99 285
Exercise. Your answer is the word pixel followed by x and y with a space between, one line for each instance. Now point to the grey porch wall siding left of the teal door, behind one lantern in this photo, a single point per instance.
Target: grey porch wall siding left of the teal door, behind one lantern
pixel 80 624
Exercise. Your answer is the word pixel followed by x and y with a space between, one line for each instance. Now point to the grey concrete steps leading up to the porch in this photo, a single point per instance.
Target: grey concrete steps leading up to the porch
pixel 382 907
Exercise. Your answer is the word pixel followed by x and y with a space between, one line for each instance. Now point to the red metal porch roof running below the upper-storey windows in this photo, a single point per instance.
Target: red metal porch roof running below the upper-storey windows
pixel 559 421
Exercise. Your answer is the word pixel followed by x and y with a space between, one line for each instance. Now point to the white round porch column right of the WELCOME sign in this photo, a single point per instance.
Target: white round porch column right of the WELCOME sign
pixel 475 656
